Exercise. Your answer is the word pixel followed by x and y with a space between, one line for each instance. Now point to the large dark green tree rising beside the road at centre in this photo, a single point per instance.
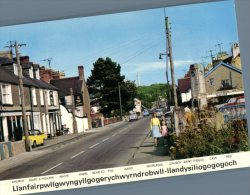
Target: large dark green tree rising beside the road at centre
pixel 103 86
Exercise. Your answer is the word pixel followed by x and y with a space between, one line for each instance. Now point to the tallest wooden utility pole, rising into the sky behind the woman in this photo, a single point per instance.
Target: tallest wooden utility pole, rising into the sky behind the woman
pixel 170 55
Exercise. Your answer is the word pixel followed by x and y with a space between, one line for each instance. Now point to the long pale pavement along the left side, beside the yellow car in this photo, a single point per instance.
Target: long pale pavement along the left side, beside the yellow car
pixel 41 150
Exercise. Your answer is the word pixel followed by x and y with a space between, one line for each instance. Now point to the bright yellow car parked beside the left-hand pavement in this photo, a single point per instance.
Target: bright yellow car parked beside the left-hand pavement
pixel 36 137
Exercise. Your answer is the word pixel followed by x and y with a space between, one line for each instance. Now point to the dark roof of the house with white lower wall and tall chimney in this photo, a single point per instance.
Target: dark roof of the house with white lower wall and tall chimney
pixel 65 84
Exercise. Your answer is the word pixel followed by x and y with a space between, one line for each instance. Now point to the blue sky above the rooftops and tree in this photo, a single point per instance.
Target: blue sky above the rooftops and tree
pixel 132 39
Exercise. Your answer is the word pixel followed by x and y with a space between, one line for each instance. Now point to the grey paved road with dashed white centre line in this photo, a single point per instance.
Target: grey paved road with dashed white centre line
pixel 109 148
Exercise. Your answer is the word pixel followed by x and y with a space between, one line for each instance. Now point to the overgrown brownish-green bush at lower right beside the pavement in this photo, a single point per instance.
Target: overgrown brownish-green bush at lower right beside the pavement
pixel 206 140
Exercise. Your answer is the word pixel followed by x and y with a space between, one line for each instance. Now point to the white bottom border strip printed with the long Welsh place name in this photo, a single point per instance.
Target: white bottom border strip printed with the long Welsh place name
pixel 125 174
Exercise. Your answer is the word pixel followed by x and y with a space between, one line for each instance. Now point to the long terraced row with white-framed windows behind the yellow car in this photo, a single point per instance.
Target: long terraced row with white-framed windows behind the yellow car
pixel 41 101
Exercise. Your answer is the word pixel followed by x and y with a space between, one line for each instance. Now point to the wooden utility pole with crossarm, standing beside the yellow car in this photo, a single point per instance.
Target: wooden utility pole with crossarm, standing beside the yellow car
pixel 20 81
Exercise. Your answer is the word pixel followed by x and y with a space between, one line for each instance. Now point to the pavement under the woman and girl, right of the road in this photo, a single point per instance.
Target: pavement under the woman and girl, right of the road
pixel 148 153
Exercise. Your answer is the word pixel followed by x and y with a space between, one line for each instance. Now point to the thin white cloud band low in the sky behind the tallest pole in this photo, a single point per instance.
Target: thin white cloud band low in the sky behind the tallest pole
pixel 149 66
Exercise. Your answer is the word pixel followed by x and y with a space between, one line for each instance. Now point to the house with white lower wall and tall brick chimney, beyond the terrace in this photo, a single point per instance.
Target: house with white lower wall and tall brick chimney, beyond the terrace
pixel 81 100
